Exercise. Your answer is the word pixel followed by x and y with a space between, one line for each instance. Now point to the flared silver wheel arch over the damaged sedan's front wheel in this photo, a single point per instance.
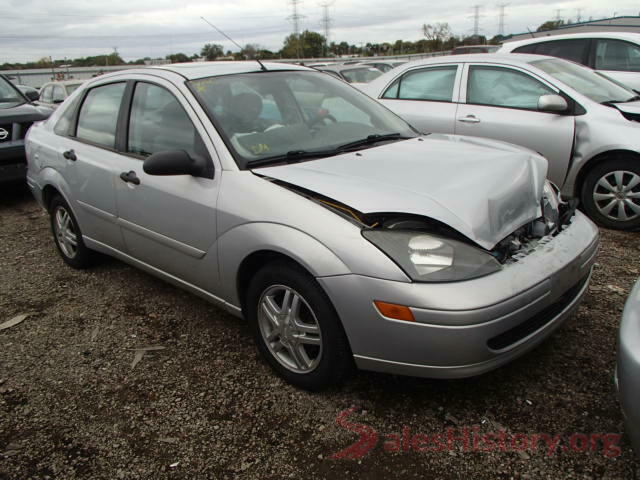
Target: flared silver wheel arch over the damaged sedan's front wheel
pixel 238 243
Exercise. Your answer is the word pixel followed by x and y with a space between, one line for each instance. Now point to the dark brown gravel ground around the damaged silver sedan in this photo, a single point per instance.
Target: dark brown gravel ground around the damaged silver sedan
pixel 205 406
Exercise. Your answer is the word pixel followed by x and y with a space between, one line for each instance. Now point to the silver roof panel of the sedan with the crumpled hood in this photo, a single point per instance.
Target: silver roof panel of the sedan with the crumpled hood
pixel 194 70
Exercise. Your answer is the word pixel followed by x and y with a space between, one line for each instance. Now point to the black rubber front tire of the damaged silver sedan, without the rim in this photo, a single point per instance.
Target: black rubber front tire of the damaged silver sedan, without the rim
pixel 335 360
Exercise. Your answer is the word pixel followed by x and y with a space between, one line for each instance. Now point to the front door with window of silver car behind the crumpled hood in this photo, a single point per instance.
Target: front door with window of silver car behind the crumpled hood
pixel 500 102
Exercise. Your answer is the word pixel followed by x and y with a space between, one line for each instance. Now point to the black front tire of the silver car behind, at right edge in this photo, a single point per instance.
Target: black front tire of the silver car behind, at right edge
pixel 592 207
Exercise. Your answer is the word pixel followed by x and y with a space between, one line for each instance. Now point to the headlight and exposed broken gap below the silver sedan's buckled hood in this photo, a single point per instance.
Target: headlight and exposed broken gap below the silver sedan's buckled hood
pixel 428 250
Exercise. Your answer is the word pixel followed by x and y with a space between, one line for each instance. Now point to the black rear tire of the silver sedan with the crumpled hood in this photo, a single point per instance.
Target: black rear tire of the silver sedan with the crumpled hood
pixel 82 257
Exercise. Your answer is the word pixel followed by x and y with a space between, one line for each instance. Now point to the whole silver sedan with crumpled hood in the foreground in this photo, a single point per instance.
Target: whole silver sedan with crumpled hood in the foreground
pixel 336 230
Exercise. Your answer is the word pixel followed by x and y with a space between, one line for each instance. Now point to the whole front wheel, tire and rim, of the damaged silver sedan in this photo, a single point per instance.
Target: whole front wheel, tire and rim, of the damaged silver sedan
pixel 308 346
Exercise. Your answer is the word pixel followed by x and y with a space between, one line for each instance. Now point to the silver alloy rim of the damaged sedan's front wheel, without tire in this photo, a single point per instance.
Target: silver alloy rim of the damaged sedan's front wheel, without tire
pixel 290 329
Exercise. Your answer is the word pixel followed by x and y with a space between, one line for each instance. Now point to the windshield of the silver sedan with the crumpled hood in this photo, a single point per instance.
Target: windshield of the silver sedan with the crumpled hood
pixel 271 114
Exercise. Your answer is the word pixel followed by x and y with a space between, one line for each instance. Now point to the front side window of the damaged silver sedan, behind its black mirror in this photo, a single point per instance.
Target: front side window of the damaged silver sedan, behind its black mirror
pixel 158 123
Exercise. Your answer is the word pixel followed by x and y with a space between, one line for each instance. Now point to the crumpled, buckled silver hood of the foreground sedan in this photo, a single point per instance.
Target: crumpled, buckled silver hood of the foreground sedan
pixel 482 188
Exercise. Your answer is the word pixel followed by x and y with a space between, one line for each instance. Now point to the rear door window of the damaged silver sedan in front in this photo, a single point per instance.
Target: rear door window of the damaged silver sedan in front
pixel 98 115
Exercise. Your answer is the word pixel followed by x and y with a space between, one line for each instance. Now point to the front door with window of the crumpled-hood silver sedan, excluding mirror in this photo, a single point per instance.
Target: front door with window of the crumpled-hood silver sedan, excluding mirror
pixel 168 222
